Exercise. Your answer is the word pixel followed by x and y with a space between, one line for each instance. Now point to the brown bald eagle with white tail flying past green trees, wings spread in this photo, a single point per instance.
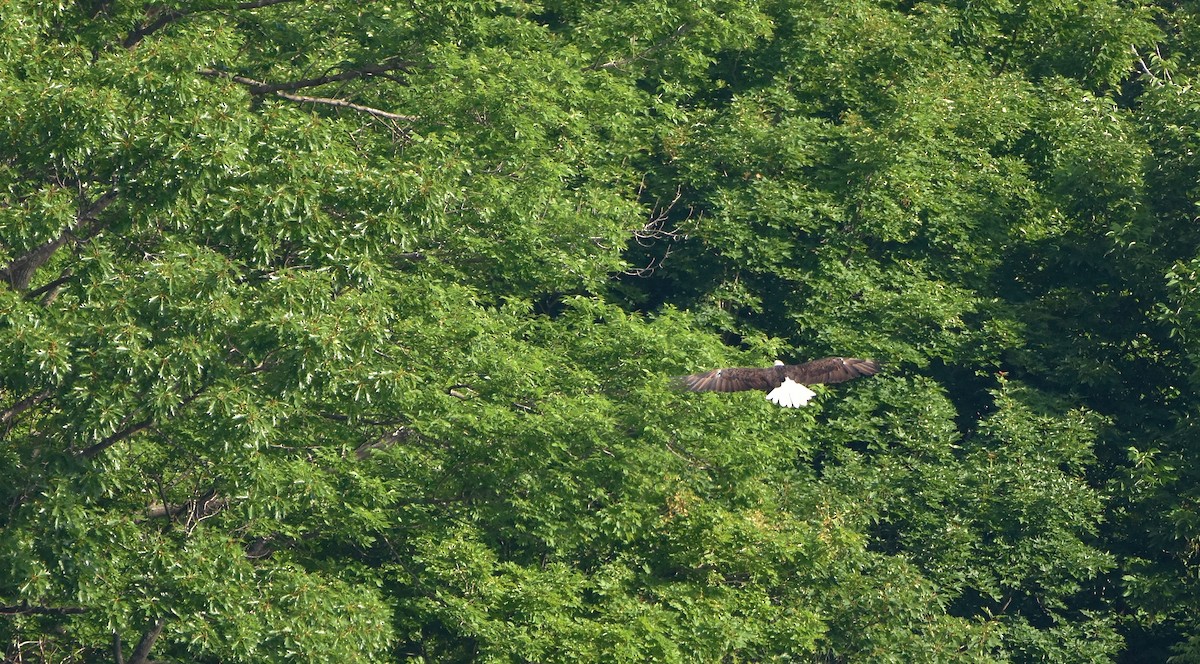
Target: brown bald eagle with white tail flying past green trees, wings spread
pixel 787 385
